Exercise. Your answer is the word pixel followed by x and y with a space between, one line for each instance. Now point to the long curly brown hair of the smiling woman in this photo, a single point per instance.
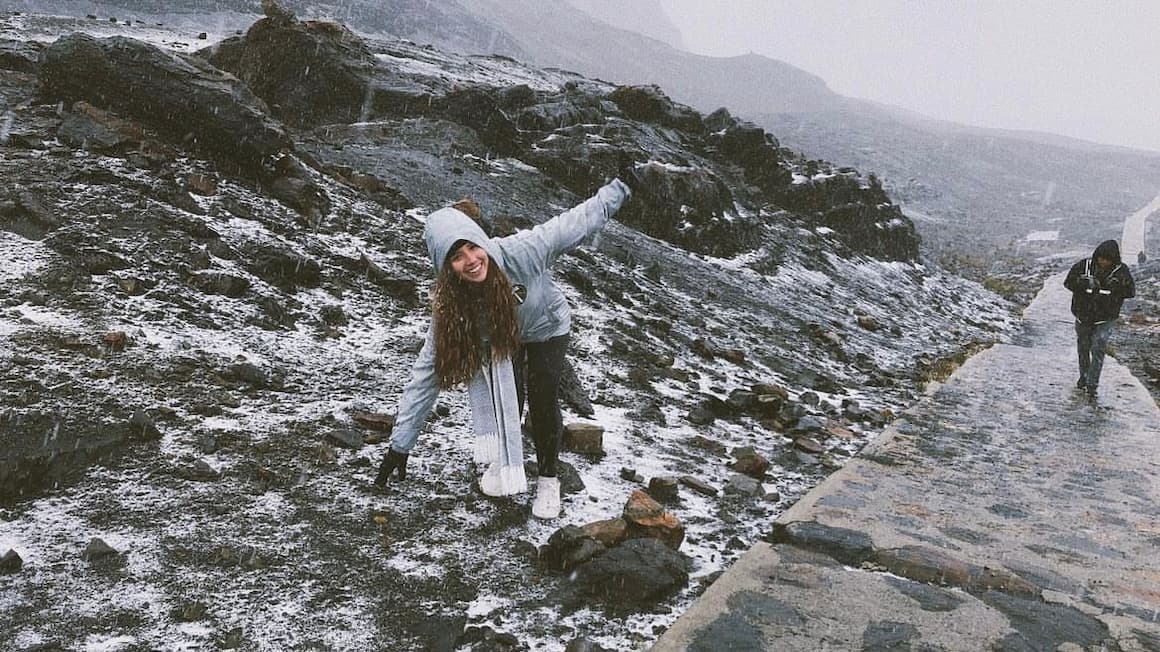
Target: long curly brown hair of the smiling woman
pixel 468 318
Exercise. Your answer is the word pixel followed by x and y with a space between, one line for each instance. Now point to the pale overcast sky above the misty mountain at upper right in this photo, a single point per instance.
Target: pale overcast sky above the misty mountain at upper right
pixel 1084 69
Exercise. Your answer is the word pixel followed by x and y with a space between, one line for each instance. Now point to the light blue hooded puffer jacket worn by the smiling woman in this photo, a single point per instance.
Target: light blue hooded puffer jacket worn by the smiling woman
pixel 527 259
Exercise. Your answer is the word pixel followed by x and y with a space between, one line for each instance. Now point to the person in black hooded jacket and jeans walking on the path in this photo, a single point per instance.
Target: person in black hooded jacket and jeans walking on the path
pixel 1099 287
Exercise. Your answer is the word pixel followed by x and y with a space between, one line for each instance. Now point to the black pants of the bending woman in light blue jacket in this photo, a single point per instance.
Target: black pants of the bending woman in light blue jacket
pixel 539 367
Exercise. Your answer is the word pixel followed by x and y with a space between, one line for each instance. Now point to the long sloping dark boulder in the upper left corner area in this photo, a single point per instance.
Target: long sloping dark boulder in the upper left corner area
pixel 180 96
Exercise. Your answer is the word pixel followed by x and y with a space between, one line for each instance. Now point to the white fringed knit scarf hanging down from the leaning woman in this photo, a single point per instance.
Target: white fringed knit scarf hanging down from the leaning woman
pixel 496 422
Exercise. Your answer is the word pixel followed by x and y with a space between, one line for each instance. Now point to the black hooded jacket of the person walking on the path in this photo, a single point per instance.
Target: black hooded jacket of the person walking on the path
pixel 1097 293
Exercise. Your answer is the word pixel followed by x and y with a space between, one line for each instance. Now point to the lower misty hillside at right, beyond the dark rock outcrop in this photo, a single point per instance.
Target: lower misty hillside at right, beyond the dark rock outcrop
pixel 967 186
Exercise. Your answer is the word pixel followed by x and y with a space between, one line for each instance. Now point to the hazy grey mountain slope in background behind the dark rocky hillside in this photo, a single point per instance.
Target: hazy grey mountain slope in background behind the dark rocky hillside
pixel 962 185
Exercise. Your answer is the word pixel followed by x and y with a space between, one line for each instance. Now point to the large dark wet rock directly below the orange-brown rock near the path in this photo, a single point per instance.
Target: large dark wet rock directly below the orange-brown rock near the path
pixel 639 571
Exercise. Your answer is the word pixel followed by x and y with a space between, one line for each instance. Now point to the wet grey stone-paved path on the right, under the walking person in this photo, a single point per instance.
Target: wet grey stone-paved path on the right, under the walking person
pixel 1005 512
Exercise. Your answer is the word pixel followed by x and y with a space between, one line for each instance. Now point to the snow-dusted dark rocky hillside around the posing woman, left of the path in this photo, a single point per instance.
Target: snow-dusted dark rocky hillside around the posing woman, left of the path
pixel 214 287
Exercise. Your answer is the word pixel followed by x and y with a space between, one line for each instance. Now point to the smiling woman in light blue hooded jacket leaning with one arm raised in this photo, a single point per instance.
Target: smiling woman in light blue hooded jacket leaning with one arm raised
pixel 501 325
